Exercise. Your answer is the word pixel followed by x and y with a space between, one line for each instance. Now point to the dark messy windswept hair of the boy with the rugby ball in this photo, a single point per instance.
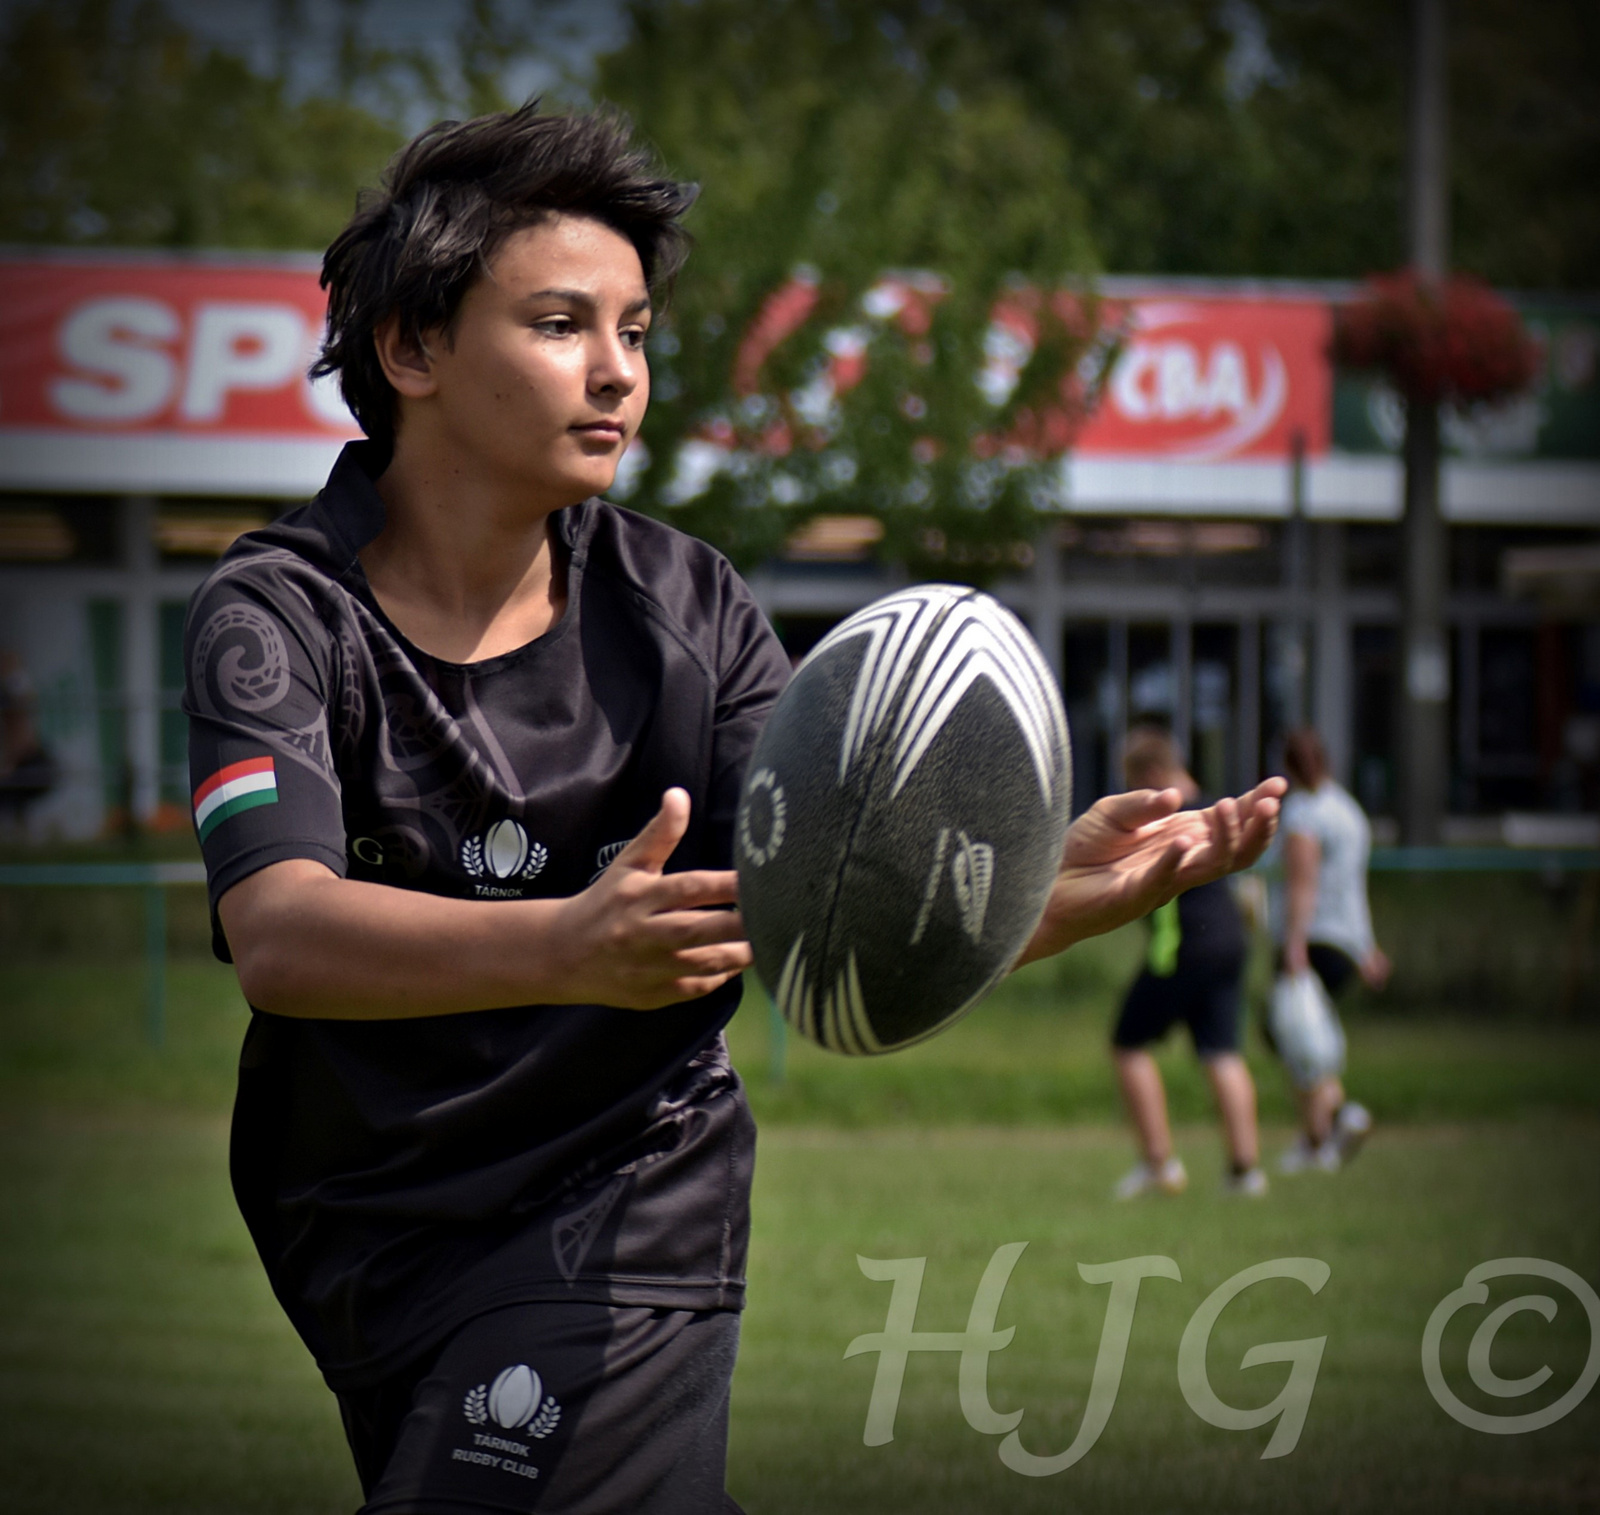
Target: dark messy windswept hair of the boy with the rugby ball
pixel 450 198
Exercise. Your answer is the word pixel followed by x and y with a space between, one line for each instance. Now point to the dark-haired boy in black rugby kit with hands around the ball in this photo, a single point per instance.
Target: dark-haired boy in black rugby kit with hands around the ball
pixel 470 745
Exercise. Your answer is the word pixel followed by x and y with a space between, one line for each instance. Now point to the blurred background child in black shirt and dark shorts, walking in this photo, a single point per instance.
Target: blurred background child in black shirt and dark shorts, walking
pixel 1194 973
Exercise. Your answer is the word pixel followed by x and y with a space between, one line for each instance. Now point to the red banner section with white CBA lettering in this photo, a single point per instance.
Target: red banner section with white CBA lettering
pixel 1206 380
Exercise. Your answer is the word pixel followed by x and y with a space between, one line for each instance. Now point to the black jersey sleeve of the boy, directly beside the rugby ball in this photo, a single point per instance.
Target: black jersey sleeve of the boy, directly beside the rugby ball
pixel 753 670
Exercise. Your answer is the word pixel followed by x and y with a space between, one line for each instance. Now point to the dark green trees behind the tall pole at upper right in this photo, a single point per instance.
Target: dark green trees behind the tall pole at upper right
pixel 1268 137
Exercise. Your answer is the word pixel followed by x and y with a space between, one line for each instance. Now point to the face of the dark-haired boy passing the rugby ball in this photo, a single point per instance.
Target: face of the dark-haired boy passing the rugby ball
pixel 543 380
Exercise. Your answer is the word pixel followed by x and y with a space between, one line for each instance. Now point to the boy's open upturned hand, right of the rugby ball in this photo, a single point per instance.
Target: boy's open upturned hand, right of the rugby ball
pixel 1130 853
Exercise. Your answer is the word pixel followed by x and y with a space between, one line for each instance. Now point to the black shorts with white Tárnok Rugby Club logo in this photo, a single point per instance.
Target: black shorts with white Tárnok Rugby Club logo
pixel 554 1407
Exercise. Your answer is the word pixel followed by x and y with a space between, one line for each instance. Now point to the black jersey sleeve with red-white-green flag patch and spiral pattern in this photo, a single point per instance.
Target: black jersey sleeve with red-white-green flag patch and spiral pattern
pixel 260 666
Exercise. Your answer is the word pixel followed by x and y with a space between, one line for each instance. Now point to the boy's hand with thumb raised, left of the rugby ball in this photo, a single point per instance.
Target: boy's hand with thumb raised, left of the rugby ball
pixel 641 938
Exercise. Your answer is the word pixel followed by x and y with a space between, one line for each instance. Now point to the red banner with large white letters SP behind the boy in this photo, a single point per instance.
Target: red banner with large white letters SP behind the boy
pixel 186 350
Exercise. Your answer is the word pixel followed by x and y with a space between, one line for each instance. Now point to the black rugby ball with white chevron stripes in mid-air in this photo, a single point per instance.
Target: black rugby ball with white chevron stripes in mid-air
pixel 903 818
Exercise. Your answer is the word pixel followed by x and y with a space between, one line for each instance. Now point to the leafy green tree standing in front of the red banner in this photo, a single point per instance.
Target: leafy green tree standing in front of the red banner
pixel 828 143
